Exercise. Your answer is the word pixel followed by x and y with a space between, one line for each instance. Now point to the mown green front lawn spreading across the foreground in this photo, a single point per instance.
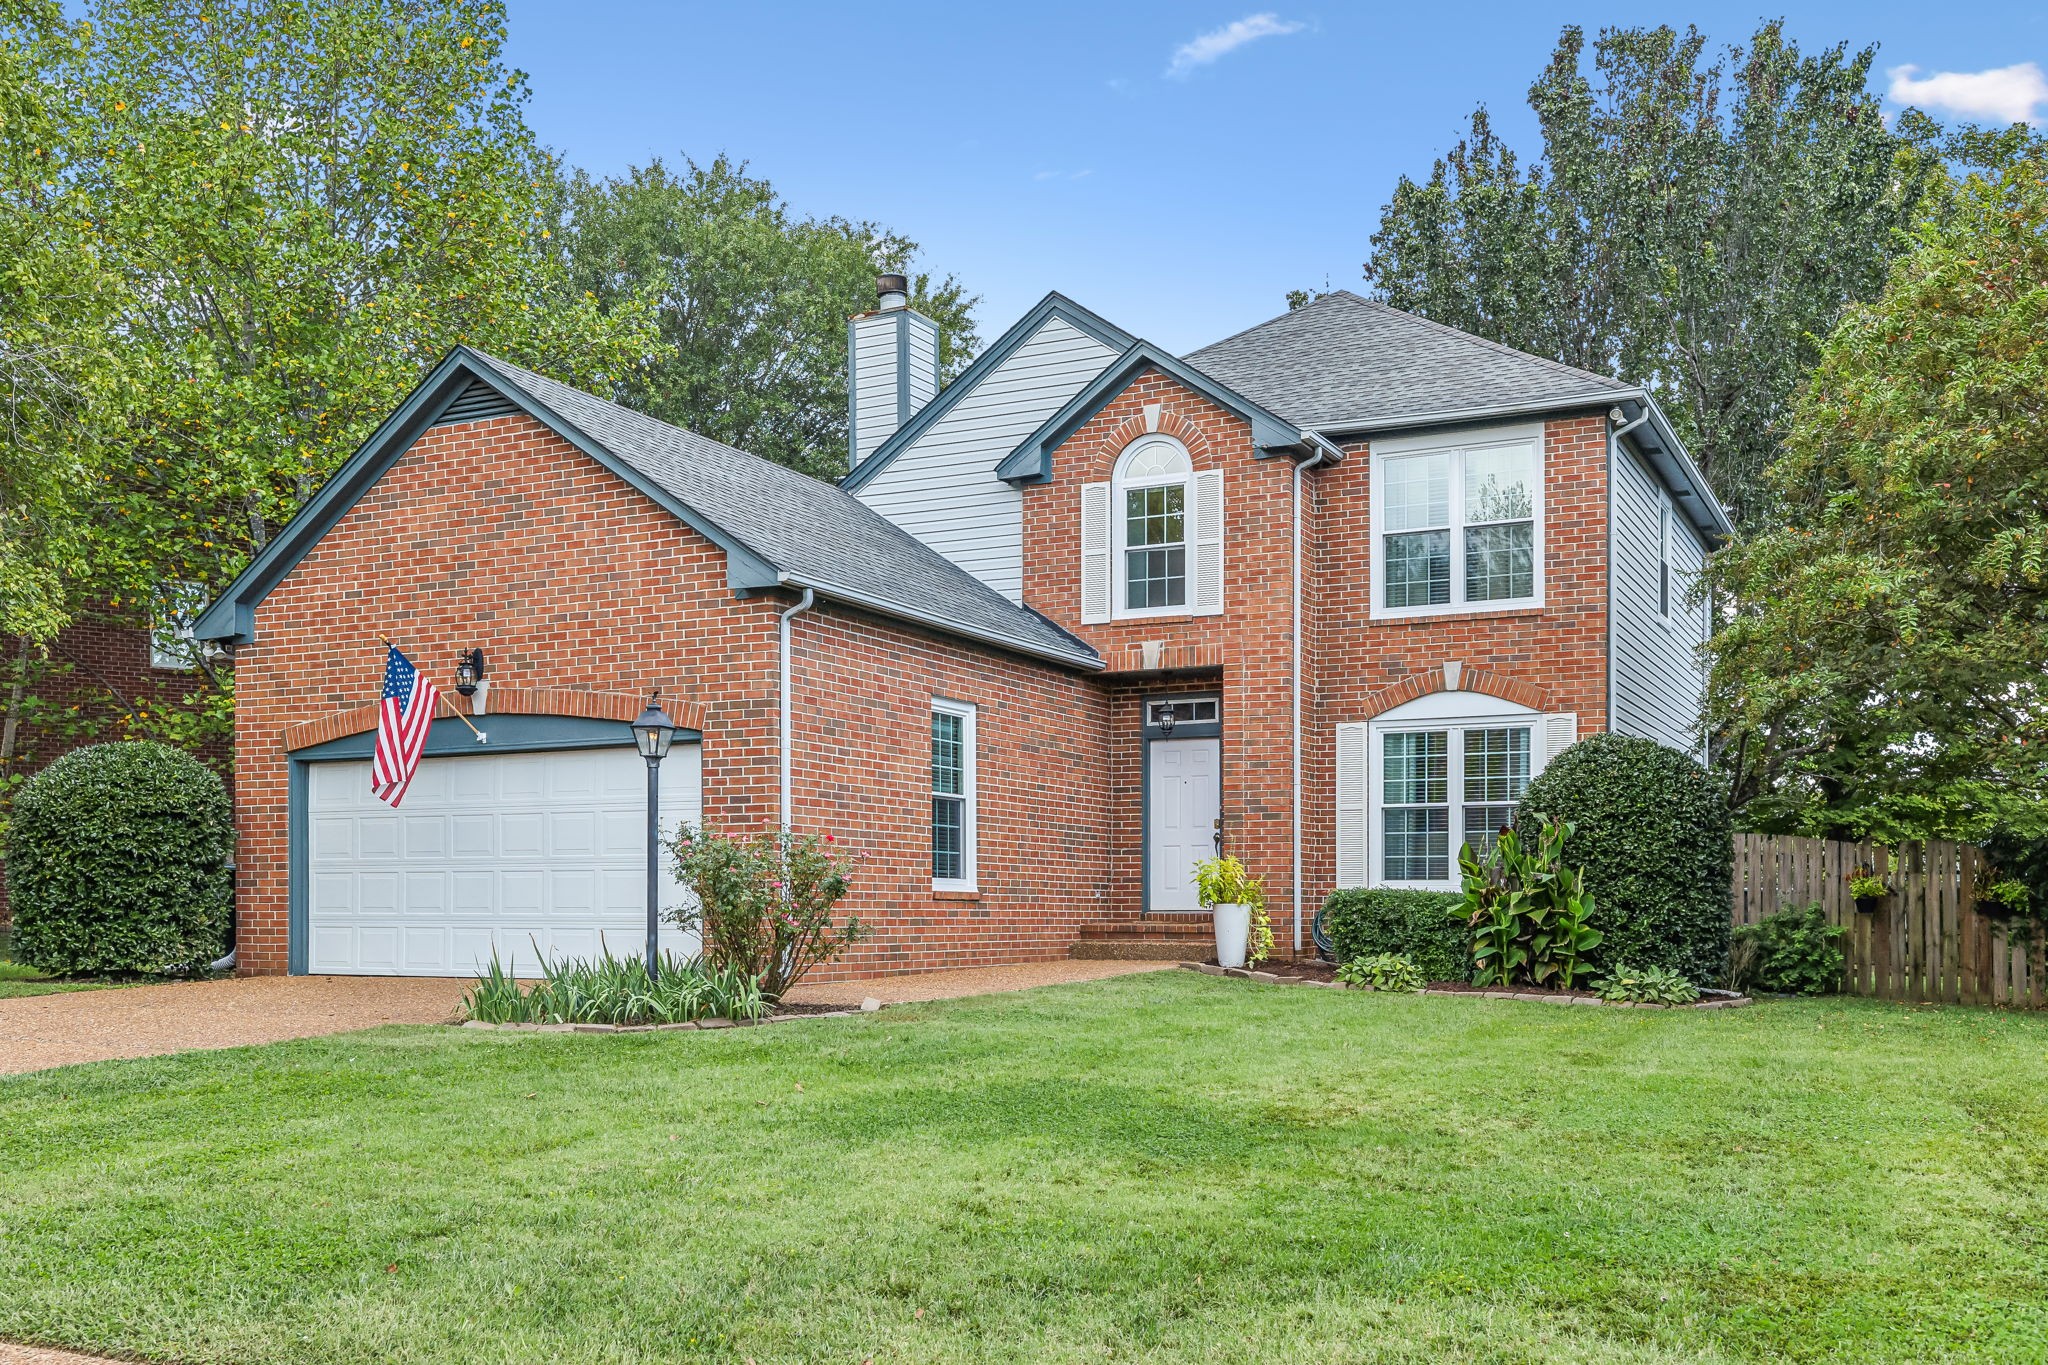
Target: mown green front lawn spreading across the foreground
pixel 1152 1170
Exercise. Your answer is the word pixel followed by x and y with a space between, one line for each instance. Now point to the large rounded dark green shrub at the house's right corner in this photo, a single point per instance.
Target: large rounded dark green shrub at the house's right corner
pixel 1652 832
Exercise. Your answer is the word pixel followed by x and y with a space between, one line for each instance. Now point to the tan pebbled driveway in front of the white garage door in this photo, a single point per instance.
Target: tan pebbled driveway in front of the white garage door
pixel 95 1026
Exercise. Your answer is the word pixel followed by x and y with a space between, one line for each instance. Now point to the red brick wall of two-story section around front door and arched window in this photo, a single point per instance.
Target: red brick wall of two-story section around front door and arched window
pixel 1551 658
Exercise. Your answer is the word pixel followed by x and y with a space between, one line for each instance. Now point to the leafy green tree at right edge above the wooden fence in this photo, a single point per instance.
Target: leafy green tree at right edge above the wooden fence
pixel 1883 670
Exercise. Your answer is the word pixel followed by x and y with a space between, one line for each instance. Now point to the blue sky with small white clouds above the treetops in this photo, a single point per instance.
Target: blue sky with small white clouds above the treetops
pixel 1175 167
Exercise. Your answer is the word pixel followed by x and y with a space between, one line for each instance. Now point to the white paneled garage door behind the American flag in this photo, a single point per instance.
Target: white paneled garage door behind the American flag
pixel 517 852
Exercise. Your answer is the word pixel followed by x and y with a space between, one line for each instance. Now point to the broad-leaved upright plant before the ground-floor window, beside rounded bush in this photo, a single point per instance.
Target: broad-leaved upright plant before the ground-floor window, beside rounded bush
pixel 1529 912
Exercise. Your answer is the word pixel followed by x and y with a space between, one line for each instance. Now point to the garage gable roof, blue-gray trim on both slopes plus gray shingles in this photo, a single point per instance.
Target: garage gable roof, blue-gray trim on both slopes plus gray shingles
pixel 777 527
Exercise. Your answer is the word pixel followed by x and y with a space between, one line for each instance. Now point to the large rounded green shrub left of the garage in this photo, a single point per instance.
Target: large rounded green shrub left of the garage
pixel 118 863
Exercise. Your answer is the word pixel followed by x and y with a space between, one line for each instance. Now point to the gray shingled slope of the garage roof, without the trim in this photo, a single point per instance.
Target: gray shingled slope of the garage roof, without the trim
pixel 810 531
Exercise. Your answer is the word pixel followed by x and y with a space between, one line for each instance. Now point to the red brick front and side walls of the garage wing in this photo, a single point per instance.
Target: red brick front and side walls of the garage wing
pixel 503 535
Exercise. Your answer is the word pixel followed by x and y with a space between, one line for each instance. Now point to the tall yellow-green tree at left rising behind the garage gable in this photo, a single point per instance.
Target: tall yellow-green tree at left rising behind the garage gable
pixel 304 202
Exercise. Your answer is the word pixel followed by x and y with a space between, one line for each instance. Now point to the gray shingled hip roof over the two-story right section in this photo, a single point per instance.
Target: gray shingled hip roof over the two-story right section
pixel 1349 363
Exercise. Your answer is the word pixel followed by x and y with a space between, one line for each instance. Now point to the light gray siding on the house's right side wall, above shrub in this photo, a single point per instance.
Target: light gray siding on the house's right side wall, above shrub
pixel 1658 676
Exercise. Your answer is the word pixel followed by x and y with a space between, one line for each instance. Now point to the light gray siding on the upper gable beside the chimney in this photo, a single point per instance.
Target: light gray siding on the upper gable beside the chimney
pixel 943 488
